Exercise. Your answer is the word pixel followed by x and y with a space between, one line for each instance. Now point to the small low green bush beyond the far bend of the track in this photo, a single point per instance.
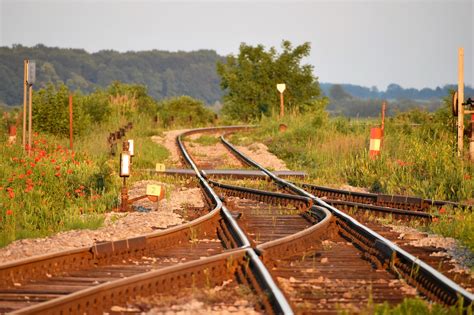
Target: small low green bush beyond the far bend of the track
pixel 184 111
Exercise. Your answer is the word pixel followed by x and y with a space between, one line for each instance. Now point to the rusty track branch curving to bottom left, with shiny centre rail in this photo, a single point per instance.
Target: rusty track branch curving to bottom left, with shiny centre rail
pixel 94 279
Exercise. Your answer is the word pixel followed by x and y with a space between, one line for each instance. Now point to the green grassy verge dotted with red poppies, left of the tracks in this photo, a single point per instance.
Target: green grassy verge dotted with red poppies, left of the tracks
pixel 56 189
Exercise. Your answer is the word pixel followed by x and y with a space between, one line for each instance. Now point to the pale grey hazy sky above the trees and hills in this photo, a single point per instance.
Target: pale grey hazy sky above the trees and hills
pixel 370 43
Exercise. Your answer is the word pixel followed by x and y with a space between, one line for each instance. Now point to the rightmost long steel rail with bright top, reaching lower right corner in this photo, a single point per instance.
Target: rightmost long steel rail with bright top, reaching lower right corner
pixel 425 277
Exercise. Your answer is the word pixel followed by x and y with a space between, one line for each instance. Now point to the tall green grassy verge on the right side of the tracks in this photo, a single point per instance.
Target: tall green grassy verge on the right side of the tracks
pixel 416 160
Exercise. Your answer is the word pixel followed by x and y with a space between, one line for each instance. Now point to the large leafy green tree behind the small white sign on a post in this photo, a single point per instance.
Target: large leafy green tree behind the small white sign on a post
pixel 249 81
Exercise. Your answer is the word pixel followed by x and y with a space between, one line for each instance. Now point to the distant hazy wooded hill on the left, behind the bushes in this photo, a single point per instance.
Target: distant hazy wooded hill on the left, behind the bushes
pixel 166 74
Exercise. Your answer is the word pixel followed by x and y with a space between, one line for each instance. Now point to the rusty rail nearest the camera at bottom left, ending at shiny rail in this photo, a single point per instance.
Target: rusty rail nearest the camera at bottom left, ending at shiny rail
pixel 99 298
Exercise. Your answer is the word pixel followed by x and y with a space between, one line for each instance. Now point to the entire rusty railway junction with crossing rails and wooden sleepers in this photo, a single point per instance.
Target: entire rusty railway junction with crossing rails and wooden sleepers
pixel 294 252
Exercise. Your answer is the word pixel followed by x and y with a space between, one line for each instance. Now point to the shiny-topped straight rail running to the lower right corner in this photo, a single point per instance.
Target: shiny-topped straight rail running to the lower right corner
pixel 383 254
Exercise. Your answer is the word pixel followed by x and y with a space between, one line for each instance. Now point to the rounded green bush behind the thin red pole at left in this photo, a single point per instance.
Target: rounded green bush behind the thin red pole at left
pixel 51 112
